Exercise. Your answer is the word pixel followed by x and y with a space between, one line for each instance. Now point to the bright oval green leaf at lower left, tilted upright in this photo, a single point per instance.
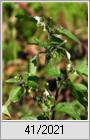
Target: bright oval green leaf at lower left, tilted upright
pixel 16 94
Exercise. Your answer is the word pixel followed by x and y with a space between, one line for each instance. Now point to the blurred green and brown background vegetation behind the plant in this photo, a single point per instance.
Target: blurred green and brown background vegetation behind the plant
pixel 17 36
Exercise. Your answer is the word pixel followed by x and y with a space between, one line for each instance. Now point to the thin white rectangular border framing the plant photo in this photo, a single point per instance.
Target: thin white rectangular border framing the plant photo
pixel 88 65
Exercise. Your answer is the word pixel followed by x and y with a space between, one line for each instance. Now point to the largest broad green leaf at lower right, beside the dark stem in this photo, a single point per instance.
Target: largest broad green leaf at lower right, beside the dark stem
pixel 68 108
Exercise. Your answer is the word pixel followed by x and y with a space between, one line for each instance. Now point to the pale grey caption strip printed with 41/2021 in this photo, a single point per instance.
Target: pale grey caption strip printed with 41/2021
pixel 44 130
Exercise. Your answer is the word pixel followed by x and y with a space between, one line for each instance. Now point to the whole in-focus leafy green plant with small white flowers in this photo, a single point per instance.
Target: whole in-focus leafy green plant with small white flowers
pixel 39 84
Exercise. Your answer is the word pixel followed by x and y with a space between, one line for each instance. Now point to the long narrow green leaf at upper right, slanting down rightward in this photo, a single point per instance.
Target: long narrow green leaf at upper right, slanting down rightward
pixel 68 34
